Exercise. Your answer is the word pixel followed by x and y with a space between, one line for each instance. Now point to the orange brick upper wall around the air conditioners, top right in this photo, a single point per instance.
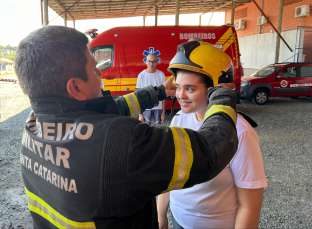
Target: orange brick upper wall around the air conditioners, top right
pixel 271 9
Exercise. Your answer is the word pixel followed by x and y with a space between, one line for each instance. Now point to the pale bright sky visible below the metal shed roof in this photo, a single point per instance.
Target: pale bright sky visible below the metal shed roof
pixel 20 17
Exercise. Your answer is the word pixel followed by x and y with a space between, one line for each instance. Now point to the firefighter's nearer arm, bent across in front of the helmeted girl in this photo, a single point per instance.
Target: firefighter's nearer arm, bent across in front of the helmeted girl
pixel 163 158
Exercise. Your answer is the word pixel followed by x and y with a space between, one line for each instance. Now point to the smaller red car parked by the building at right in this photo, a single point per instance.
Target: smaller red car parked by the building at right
pixel 278 80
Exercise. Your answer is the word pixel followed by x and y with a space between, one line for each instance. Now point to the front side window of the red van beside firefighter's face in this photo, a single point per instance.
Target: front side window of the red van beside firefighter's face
pixel 104 56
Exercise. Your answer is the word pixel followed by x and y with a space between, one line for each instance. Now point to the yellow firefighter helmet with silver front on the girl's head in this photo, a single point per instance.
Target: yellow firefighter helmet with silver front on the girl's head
pixel 204 58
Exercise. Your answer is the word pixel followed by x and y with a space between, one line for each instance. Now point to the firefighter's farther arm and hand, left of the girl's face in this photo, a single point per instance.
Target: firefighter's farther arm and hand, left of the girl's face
pixel 148 97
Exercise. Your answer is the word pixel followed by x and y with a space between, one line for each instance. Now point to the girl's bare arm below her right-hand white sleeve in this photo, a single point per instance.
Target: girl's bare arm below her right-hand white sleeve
pixel 249 207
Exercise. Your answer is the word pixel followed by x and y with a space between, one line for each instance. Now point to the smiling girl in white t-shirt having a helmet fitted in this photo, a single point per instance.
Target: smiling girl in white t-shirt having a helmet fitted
pixel 233 199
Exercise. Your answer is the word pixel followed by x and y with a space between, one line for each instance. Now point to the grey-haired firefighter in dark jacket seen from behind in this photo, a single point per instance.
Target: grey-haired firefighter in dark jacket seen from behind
pixel 84 164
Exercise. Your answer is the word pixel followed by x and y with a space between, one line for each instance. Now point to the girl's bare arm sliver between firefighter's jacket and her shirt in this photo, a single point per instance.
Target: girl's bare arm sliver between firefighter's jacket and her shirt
pixel 162 208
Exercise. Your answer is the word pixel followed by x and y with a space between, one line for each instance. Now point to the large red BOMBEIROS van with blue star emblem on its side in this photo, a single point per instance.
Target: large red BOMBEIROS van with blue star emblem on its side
pixel 121 52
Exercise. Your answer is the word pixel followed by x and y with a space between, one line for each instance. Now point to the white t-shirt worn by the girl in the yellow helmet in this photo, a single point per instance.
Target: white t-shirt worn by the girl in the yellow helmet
pixel 214 204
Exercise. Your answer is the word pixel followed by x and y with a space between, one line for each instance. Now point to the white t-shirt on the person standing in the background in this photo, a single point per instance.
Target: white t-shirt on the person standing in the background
pixel 156 79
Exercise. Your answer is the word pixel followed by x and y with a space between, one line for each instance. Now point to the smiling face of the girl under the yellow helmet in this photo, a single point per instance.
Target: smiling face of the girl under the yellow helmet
pixel 191 93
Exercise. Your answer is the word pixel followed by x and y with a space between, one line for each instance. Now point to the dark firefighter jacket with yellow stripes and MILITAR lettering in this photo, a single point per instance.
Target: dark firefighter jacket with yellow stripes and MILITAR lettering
pixel 85 165
